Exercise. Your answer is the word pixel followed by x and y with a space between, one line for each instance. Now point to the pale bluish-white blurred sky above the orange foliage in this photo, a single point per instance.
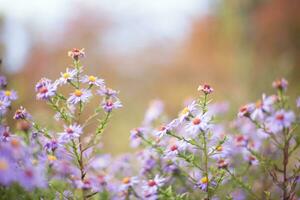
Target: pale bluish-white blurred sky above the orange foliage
pixel 135 22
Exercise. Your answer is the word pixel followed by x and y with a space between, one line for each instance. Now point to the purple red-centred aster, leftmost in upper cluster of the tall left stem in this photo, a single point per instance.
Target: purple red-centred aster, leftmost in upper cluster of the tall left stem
pixel 45 89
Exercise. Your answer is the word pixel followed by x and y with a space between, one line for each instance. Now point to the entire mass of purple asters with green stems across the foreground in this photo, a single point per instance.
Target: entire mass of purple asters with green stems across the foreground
pixel 195 155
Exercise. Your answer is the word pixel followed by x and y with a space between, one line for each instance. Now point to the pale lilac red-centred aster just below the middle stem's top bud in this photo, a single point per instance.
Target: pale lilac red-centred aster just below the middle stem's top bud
pixel 198 124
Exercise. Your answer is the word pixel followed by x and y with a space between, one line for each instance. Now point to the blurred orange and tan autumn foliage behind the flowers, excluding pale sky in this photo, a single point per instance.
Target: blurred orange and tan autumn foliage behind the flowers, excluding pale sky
pixel 239 48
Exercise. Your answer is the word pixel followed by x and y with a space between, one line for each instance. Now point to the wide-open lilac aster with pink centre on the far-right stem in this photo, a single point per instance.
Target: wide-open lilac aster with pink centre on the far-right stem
pixel 280 120
